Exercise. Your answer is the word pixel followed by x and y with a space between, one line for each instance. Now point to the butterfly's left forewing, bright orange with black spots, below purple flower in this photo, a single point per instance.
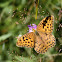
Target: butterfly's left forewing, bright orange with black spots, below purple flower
pixel 26 40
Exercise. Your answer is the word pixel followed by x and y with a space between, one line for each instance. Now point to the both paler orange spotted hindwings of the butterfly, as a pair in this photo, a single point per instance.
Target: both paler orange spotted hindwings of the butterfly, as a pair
pixel 43 42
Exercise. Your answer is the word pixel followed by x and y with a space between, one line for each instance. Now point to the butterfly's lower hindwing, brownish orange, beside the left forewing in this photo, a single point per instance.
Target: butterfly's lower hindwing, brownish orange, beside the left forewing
pixel 40 47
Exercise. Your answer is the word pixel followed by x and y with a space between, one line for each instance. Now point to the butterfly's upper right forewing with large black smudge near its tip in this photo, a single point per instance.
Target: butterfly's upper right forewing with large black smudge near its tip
pixel 46 25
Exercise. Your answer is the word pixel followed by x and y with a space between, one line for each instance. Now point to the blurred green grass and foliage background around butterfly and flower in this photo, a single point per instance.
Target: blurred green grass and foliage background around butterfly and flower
pixel 15 16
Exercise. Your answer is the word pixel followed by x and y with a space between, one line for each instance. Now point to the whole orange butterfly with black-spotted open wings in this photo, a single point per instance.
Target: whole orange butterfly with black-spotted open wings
pixel 41 39
